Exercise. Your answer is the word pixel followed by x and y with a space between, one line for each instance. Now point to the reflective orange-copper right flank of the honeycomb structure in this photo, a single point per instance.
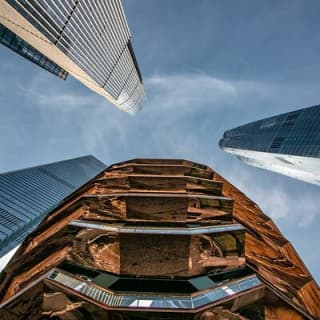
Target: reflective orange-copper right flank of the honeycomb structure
pixel 271 255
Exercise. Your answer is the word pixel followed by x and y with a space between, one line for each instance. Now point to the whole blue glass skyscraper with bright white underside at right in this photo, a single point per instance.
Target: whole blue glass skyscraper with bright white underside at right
pixel 288 143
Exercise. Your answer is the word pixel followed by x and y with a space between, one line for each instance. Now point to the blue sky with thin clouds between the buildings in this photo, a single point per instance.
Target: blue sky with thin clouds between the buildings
pixel 207 66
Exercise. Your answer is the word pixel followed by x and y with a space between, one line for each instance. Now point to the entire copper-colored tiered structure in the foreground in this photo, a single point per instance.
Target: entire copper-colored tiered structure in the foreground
pixel 158 239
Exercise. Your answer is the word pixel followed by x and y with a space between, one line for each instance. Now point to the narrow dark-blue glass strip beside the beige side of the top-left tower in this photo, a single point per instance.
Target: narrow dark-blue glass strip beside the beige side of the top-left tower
pixel 18 45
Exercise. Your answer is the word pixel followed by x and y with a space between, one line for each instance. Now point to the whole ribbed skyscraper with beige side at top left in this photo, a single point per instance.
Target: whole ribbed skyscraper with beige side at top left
pixel 88 39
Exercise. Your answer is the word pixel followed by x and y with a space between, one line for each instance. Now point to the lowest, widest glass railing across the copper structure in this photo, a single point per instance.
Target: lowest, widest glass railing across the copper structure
pixel 152 300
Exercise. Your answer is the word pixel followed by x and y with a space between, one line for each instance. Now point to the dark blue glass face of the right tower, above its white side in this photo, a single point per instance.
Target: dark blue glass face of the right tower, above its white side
pixel 295 133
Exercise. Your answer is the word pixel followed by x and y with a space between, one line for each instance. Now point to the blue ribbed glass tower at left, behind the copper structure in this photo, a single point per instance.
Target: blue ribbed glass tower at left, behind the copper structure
pixel 27 195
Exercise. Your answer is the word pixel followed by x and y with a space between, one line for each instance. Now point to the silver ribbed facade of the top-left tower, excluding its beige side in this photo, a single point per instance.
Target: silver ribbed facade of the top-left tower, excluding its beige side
pixel 94 35
